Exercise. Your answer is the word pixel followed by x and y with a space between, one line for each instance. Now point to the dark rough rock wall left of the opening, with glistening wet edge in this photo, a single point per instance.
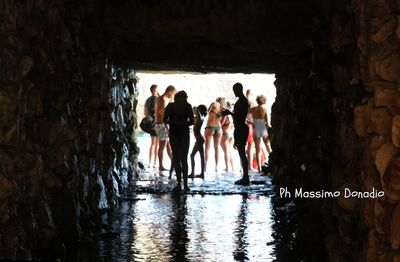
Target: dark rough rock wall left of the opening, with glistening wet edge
pixel 62 104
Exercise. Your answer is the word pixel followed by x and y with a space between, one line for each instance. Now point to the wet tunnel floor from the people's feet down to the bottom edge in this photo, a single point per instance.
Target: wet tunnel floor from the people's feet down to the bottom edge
pixel 215 221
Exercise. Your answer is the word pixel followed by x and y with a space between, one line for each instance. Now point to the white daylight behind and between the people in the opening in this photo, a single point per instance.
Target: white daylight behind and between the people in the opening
pixel 203 89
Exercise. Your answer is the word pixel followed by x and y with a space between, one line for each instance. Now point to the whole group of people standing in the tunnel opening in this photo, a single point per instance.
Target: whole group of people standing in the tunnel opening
pixel 241 125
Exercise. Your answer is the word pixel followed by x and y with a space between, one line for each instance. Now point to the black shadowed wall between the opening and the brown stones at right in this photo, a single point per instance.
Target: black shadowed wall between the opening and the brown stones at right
pixel 315 145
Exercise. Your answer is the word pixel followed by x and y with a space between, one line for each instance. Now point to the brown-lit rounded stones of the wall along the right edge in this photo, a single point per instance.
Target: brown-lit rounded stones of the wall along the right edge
pixel 376 121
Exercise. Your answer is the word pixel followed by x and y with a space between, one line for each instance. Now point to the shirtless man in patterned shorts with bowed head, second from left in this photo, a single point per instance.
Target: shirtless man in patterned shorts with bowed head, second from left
pixel 160 127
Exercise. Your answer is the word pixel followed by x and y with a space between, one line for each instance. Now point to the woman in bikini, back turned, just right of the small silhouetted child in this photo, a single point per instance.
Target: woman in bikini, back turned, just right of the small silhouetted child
pixel 213 132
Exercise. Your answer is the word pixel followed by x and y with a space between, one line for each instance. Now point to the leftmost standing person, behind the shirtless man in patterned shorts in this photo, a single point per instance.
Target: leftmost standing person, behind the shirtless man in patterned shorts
pixel 149 110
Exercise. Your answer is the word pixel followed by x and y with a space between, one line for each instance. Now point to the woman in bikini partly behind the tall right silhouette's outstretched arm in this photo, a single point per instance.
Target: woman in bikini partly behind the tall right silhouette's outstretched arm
pixel 227 137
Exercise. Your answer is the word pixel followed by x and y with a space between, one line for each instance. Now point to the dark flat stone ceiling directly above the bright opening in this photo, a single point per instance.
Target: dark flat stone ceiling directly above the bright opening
pixel 225 35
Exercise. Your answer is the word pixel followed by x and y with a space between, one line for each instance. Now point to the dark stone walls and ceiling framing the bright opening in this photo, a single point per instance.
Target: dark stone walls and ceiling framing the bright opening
pixel 64 83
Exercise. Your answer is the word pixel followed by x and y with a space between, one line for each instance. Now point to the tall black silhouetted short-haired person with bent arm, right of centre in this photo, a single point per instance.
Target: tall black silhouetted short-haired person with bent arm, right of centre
pixel 241 132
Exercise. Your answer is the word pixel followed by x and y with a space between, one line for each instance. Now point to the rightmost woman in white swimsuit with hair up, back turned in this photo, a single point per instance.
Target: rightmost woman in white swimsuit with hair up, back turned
pixel 260 119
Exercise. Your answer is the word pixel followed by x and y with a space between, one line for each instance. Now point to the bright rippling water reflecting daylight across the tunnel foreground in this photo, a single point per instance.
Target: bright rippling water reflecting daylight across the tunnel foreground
pixel 163 227
